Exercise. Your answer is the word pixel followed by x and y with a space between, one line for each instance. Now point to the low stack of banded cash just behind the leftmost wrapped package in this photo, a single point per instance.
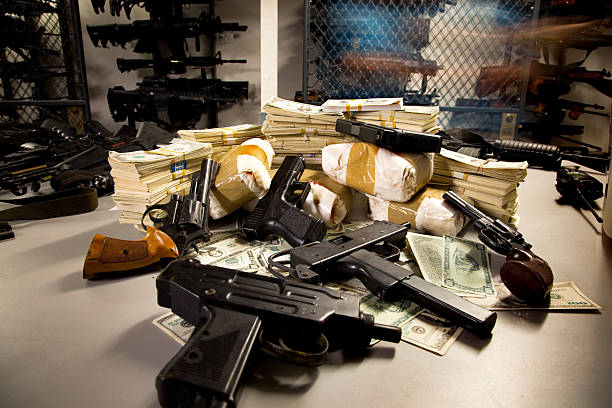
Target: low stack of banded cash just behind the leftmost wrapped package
pixel 222 139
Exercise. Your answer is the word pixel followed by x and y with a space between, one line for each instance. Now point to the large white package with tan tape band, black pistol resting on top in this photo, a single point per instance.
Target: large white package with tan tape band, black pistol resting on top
pixel 376 171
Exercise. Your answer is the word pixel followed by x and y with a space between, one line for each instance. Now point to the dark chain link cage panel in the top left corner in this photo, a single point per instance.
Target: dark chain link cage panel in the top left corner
pixel 42 72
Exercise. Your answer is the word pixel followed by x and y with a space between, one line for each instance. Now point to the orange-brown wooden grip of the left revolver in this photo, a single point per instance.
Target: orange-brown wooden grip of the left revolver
pixel 109 255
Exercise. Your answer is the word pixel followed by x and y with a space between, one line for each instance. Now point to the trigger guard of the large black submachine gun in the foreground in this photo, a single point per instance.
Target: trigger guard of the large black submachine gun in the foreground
pixel 283 351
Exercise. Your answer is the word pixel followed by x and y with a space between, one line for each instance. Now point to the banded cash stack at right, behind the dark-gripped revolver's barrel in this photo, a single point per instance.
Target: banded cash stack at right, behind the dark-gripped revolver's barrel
pixel 491 184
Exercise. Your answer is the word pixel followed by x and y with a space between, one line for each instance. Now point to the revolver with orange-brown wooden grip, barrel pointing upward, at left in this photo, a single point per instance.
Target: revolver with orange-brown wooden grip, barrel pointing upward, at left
pixel 184 223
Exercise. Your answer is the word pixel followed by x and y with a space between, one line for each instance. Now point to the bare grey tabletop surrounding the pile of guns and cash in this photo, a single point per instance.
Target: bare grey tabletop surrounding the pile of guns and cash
pixel 65 341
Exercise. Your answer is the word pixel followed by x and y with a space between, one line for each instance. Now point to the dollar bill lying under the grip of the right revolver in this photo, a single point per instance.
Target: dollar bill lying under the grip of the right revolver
pixel 563 296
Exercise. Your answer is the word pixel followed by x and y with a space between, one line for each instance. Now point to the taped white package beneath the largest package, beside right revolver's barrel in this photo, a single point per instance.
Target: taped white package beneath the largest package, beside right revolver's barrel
pixel 426 212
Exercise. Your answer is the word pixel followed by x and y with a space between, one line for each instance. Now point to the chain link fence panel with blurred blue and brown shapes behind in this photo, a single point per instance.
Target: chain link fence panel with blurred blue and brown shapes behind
pixel 429 51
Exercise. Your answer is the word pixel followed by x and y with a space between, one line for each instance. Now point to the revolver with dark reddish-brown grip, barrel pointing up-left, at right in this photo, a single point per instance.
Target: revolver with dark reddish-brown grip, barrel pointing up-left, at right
pixel 526 275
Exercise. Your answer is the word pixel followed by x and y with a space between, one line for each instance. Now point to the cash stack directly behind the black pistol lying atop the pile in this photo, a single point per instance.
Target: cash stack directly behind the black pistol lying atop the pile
pixel 413 118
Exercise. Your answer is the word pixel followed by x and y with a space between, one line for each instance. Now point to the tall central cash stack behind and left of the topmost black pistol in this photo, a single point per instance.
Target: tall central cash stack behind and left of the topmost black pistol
pixel 299 128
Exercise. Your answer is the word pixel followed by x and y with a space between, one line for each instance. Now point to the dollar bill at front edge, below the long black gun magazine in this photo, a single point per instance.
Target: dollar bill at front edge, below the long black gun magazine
pixel 431 332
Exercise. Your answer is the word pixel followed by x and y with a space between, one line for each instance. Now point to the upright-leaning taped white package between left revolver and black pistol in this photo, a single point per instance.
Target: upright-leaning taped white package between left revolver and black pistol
pixel 244 175
